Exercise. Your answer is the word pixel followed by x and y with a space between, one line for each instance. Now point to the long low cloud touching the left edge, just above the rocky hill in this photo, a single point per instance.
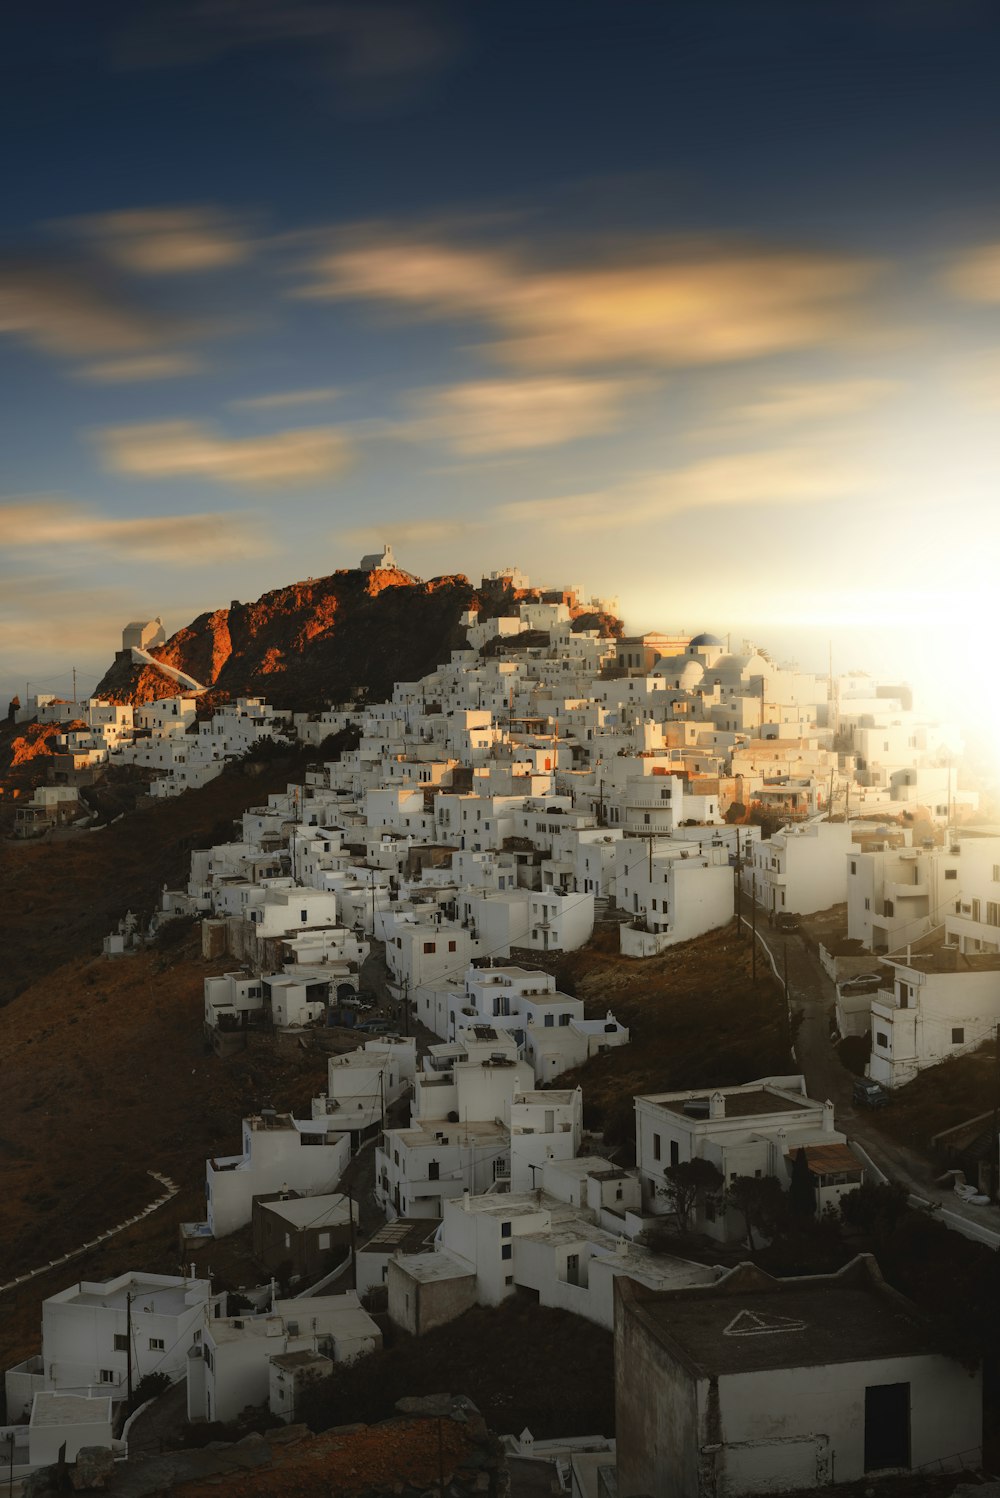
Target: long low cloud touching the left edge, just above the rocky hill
pixel 41 524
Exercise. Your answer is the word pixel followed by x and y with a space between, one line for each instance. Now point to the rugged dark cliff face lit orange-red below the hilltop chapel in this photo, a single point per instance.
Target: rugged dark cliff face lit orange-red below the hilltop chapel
pixel 311 643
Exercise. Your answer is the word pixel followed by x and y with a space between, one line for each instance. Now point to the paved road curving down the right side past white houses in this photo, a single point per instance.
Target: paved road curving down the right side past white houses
pixel 814 994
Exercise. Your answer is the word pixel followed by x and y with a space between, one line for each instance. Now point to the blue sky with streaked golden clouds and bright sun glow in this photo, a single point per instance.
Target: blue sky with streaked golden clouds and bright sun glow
pixel 695 305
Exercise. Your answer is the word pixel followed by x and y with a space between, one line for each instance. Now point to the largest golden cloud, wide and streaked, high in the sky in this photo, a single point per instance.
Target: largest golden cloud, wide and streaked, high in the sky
pixel 661 305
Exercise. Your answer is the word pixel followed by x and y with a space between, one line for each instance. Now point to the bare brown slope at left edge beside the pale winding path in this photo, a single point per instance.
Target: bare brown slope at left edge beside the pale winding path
pixel 107 1078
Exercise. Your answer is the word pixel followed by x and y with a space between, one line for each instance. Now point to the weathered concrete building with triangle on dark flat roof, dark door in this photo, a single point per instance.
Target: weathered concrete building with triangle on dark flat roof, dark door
pixel 758 1386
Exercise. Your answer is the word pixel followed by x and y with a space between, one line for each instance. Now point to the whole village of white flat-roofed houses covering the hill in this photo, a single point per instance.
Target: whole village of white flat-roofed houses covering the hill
pixel 543 780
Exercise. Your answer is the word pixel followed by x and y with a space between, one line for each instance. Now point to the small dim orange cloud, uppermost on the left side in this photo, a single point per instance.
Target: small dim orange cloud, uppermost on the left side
pixel 167 242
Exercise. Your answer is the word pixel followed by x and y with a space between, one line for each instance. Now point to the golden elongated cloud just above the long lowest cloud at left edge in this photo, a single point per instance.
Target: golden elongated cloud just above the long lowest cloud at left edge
pixel 194 450
